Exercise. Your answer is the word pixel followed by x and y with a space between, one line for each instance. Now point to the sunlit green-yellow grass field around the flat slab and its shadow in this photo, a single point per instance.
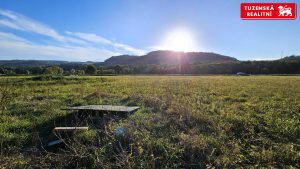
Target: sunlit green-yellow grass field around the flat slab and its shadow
pixel 184 122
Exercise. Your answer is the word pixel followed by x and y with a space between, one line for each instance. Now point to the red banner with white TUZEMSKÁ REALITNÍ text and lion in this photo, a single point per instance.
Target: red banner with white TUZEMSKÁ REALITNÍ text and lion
pixel 252 11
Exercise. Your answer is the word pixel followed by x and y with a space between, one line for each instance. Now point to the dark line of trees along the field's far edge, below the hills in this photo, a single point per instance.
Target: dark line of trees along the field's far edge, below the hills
pixel 288 65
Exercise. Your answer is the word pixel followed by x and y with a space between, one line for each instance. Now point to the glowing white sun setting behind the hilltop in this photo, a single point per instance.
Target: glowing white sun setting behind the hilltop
pixel 179 40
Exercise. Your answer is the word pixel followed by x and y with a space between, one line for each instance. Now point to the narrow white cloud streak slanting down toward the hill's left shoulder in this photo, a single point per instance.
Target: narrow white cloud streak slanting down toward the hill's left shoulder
pixel 99 39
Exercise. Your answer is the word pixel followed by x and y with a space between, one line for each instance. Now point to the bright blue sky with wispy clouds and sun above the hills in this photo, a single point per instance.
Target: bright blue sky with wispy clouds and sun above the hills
pixel 94 30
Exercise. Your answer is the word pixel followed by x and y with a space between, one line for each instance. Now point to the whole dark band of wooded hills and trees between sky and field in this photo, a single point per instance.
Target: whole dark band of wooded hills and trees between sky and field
pixel 157 62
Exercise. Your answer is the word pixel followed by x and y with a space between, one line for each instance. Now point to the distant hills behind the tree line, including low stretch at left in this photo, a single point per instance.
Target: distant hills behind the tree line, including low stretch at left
pixel 161 57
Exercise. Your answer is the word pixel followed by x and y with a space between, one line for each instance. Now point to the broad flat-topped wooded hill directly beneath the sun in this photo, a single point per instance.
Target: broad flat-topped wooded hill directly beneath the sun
pixel 164 57
